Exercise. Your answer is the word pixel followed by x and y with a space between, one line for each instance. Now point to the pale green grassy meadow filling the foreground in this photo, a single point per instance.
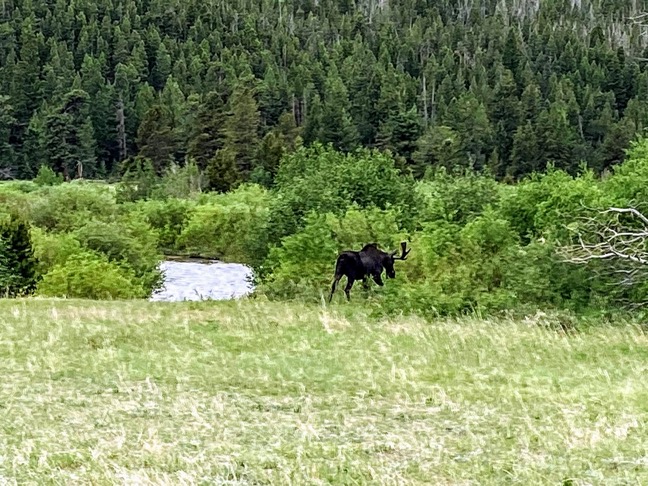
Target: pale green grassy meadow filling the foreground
pixel 260 393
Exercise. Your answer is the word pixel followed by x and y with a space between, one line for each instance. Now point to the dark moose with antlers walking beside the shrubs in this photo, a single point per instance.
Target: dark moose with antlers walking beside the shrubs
pixel 368 262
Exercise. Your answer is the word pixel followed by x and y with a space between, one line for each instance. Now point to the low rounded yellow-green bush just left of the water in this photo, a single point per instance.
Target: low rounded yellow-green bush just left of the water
pixel 88 275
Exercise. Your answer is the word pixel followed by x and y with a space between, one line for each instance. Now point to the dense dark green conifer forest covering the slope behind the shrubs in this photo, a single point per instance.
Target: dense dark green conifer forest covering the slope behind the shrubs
pixel 92 88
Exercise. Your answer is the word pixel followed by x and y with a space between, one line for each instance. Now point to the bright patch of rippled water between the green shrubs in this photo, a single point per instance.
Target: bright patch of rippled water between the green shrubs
pixel 202 281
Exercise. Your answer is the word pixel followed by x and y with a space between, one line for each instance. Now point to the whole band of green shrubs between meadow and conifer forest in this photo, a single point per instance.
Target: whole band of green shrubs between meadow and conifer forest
pixel 477 244
